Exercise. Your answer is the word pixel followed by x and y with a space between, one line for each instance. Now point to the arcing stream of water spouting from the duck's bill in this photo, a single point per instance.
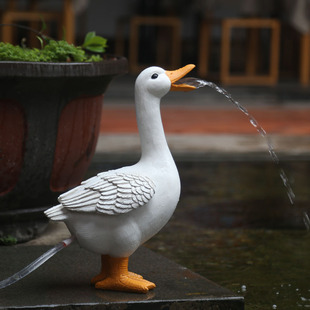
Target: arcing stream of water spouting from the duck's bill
pixel 198 83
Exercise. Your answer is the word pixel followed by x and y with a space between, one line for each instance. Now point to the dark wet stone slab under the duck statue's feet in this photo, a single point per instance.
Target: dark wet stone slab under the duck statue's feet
pixel 63 283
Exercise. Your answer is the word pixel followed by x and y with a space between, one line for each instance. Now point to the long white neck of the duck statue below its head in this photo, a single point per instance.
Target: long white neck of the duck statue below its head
pixel 154 146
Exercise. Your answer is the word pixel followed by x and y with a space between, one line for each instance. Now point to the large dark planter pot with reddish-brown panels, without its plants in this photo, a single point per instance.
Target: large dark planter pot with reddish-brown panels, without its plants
pixel 49 125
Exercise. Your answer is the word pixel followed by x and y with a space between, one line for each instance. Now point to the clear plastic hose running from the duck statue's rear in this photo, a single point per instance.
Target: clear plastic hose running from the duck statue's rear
pixel 36 263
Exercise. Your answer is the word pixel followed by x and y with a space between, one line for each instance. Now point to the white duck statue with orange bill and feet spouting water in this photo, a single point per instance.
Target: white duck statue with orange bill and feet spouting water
pixel 115 212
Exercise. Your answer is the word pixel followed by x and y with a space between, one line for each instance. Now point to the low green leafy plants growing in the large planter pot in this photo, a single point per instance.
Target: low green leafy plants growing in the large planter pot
pixel 56 51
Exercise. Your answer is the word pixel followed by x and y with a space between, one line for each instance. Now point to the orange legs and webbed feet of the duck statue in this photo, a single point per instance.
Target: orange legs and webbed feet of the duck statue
pixel 117 278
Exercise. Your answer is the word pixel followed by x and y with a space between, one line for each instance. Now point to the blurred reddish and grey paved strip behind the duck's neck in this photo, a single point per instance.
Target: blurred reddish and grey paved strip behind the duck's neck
pixel 205 121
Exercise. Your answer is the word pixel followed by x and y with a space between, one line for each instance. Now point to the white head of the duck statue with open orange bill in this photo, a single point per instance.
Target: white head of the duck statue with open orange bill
pixel 157 81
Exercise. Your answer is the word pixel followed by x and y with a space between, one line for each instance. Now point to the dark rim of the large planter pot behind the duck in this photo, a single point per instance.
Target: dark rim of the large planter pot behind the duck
pixel 113 65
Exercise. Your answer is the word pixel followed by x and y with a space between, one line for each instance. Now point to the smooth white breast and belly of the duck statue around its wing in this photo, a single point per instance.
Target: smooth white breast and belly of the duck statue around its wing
pixel 120 235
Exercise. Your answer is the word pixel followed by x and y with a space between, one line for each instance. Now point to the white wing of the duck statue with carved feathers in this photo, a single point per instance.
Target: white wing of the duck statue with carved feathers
pixel 109 193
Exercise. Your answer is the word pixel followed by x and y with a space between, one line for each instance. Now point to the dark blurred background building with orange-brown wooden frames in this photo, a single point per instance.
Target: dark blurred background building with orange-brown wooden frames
pixel 243 42
